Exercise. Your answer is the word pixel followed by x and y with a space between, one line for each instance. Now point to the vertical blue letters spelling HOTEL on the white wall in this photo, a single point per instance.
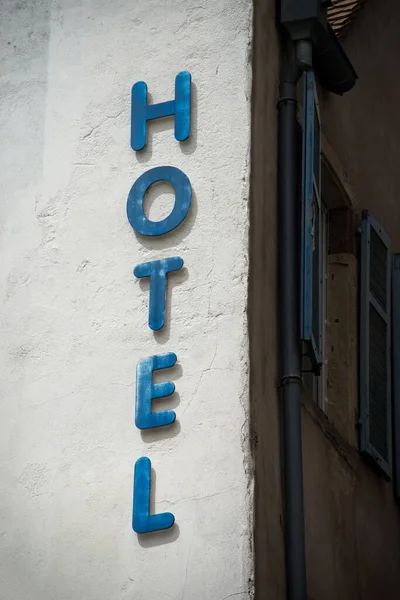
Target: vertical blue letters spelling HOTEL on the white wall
pixel 157 271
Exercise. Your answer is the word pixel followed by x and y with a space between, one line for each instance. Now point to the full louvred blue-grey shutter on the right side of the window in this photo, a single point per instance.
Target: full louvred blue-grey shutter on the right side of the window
pixel 375 352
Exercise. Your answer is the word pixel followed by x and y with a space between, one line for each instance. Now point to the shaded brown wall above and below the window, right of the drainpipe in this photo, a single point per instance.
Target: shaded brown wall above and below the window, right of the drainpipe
pixel 352 519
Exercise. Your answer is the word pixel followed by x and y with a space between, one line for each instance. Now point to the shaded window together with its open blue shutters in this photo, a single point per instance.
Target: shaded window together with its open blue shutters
pixel 355 387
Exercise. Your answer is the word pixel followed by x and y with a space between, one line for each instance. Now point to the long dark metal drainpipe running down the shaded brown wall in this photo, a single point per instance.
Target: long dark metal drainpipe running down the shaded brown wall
pixel 289 330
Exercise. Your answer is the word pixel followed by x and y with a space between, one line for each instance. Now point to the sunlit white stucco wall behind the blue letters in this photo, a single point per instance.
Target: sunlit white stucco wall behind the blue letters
pixel 74 319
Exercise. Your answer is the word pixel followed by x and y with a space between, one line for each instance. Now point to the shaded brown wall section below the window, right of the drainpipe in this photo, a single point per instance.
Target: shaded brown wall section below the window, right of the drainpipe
pixel 352 523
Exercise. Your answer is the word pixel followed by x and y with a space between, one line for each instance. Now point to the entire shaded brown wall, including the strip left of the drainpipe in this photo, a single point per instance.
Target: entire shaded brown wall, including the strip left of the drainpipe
pixel 352 519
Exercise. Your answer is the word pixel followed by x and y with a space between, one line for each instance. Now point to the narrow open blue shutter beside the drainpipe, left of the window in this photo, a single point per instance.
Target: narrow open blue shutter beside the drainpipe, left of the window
pixel 311 230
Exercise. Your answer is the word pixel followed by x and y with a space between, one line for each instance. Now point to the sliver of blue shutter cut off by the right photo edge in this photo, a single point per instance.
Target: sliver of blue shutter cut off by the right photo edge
pixel 396 370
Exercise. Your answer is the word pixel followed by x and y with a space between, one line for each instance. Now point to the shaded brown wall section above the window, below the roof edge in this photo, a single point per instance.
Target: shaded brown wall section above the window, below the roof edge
pixel 363 126
